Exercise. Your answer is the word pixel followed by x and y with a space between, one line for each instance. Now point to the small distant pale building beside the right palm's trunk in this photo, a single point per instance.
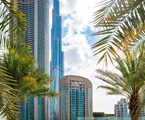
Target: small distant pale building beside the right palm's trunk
pixel 121 110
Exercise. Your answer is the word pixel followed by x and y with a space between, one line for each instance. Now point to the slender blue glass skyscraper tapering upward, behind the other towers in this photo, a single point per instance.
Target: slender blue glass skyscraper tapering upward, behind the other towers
pixel 56 64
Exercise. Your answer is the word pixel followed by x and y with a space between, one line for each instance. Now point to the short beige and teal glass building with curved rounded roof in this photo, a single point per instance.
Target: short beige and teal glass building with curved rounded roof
pixel 75 98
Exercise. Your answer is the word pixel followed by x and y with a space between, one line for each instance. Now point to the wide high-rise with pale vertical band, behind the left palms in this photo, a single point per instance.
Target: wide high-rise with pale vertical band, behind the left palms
pixel 36 35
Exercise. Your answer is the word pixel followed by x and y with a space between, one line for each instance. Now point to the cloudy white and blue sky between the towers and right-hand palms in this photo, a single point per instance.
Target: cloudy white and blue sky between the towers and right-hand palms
pixel 77 39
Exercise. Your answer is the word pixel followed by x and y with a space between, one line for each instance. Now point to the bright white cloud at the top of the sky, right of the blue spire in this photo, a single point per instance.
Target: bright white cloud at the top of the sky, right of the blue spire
pixel 79 12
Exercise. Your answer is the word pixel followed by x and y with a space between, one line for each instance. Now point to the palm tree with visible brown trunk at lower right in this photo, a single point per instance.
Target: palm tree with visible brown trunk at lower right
pixel 130 83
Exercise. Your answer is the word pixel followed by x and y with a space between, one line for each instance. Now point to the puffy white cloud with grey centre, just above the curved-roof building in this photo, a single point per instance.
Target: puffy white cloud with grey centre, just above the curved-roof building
pixel 76 50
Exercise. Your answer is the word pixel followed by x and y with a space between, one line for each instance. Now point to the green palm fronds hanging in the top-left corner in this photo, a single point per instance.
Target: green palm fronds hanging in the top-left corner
pixel 12 20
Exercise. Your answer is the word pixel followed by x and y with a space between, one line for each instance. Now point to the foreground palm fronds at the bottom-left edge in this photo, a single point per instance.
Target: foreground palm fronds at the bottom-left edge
pixel 8 106
